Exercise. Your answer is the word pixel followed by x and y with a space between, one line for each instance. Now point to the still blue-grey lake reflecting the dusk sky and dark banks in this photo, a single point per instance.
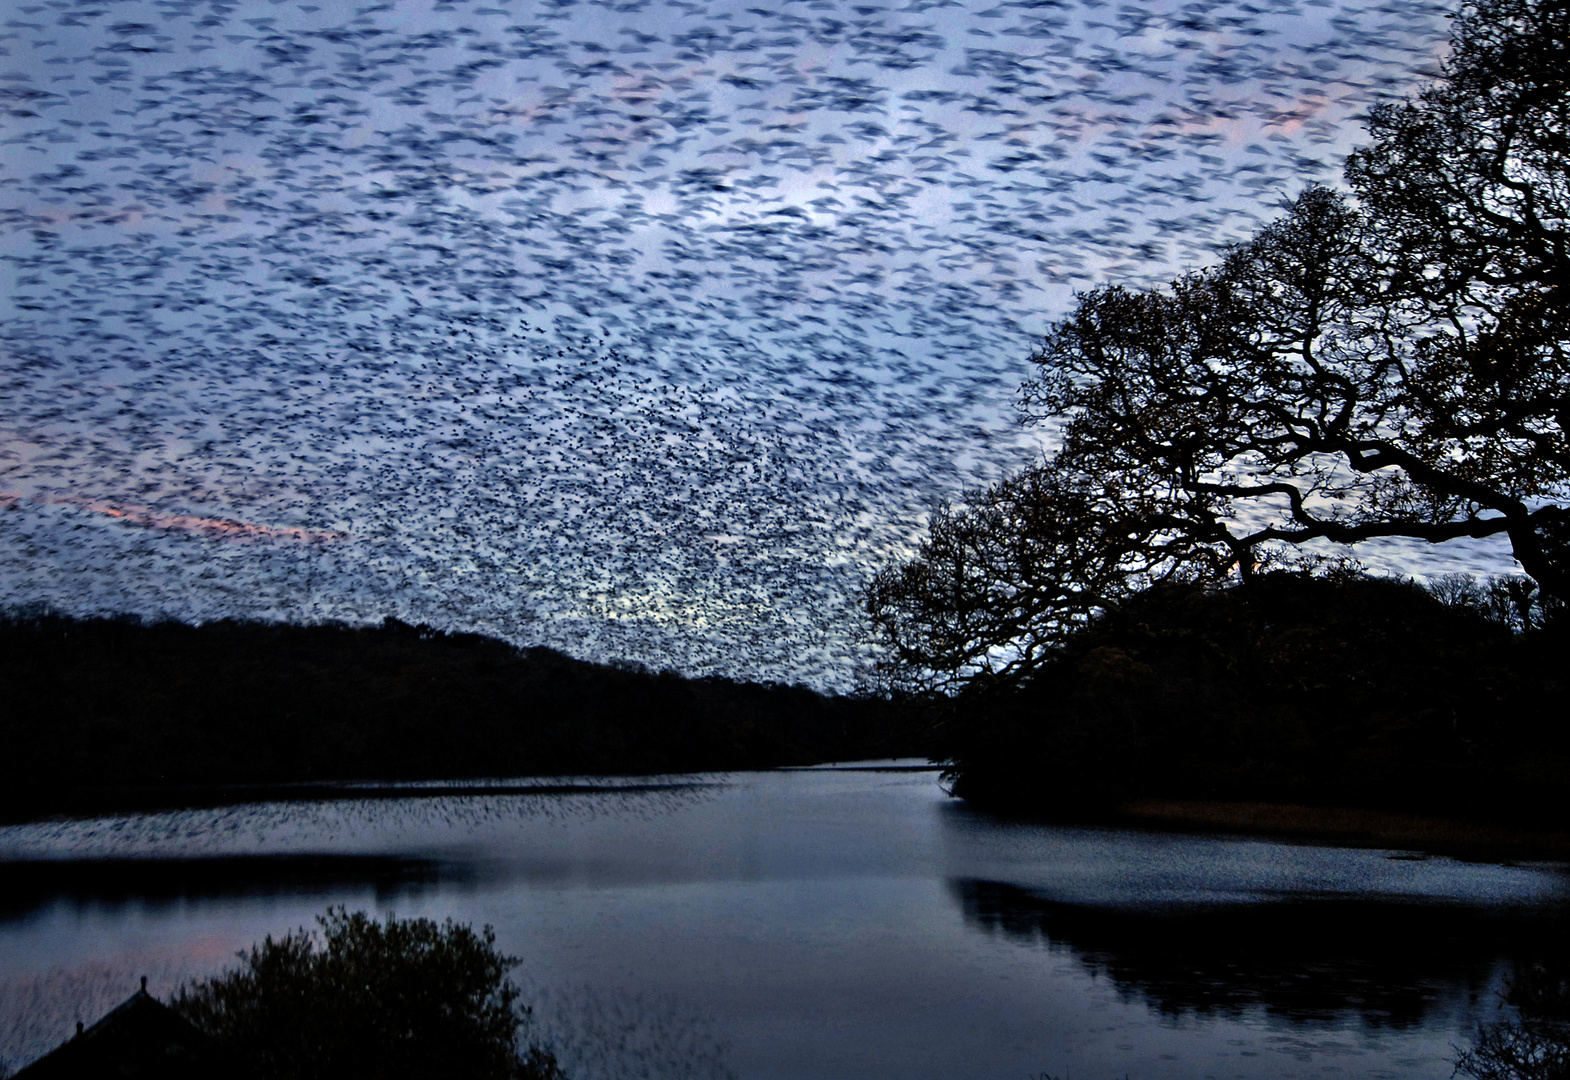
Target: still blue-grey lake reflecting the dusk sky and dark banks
pixel 811 924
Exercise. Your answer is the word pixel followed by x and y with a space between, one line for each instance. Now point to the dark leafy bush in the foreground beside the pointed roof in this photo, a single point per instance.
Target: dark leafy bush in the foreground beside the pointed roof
pixel 378 1001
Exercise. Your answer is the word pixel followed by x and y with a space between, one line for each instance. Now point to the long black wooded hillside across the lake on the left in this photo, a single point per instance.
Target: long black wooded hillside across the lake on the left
pixel 101 709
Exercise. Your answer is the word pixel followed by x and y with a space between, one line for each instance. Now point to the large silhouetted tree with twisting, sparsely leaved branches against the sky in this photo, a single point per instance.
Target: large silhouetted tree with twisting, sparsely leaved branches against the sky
pixel 1387 363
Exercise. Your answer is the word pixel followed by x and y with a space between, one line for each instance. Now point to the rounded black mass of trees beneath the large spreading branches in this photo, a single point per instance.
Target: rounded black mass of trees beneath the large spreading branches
pixel 1346 691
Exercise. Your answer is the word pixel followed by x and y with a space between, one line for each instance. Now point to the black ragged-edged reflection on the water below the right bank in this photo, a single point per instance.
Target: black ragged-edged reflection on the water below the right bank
pixel 1387 961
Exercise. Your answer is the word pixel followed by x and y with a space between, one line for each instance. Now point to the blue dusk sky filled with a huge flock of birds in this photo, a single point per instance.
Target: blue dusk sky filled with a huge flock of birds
pixel 633 330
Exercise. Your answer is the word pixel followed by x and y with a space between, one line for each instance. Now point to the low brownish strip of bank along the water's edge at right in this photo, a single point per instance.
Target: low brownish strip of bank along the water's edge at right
pixel 1349 826
